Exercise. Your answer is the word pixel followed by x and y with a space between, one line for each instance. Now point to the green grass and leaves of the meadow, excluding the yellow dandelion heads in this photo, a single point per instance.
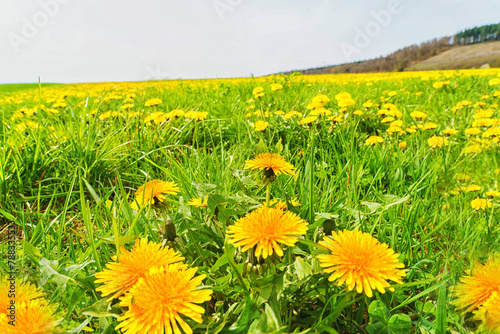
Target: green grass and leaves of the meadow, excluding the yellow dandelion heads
pixel 69 180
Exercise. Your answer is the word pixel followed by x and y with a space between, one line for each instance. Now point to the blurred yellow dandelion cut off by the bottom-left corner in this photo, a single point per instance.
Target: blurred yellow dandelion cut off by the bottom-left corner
pixel 31 317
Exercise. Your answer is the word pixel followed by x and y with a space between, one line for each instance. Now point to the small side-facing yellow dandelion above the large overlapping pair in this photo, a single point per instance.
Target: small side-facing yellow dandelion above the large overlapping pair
pixel 153 191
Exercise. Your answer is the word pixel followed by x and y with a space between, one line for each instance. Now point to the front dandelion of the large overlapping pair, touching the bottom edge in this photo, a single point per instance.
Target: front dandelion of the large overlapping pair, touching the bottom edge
pixel 156 302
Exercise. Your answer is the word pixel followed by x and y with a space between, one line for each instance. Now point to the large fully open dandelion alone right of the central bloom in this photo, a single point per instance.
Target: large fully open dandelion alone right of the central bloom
pixel 360 261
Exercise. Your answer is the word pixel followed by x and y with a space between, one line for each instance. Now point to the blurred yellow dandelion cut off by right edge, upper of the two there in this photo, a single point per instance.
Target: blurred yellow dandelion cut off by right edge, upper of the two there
pixel 474 290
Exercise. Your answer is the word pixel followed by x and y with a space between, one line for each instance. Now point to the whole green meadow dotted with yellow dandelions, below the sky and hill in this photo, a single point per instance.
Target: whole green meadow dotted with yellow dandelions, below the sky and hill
pixel 350 203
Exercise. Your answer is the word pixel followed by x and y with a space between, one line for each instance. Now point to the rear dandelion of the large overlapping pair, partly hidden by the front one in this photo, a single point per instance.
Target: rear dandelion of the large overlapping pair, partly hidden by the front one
pixel 119 277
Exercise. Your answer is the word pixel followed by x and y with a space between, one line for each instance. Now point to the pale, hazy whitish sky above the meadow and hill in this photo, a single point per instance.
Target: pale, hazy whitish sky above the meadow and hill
pixel 69 41
